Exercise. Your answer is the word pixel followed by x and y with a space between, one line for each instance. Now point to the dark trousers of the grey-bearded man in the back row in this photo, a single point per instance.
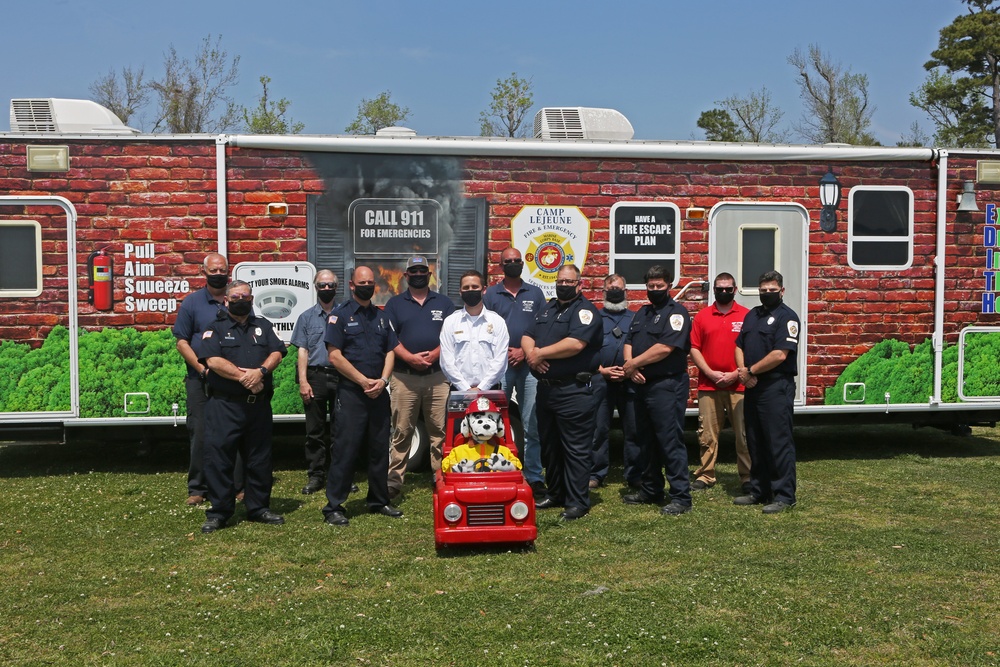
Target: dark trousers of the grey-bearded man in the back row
pixel 607 397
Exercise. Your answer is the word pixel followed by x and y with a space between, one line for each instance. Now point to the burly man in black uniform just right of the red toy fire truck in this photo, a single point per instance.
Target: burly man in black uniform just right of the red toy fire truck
pixel 562 348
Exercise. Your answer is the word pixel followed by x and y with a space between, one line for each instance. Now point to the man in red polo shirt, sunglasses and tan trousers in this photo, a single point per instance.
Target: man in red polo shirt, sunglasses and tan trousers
pixel 720 394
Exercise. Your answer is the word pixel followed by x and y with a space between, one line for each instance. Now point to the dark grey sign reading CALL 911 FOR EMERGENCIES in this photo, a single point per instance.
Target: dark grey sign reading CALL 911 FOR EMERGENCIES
pixel 390 227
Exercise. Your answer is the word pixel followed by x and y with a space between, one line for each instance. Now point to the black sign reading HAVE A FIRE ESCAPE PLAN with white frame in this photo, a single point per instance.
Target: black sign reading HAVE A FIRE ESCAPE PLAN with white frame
pixel 644 234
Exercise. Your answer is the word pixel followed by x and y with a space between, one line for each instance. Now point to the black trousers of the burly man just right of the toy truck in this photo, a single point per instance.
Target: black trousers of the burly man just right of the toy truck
pixel 565 415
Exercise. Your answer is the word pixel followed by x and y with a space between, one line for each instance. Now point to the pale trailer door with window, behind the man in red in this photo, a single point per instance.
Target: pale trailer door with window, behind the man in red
pixel 747 239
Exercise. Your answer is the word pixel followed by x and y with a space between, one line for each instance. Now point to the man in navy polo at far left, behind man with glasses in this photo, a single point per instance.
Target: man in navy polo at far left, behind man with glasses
pixel 198 311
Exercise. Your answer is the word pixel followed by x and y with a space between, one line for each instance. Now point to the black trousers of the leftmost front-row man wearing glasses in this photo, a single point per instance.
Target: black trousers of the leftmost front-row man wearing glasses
pixel 233 427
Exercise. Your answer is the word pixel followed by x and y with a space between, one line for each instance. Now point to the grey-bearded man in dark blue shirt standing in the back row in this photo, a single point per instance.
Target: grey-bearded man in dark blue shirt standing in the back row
pixel 611 390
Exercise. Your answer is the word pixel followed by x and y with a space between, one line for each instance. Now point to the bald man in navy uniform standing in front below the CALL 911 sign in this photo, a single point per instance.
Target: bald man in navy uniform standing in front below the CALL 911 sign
pixel 360 343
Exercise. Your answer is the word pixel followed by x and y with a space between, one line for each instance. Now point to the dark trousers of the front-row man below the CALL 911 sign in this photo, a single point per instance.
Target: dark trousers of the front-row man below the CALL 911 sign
pixel 357 420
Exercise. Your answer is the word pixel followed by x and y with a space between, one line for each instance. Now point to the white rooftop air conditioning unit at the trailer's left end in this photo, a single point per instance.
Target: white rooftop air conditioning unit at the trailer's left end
pixel 53 115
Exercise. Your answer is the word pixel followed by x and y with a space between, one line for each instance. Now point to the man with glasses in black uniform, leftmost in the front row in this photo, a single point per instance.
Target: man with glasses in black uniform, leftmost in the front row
pixel 242 351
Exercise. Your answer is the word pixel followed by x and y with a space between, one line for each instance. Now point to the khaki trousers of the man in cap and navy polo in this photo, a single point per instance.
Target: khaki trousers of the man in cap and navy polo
pixel 410 395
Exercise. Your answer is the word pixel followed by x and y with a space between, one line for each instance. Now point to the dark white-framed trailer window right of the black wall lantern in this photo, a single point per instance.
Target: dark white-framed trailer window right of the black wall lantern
pixel 880 228
